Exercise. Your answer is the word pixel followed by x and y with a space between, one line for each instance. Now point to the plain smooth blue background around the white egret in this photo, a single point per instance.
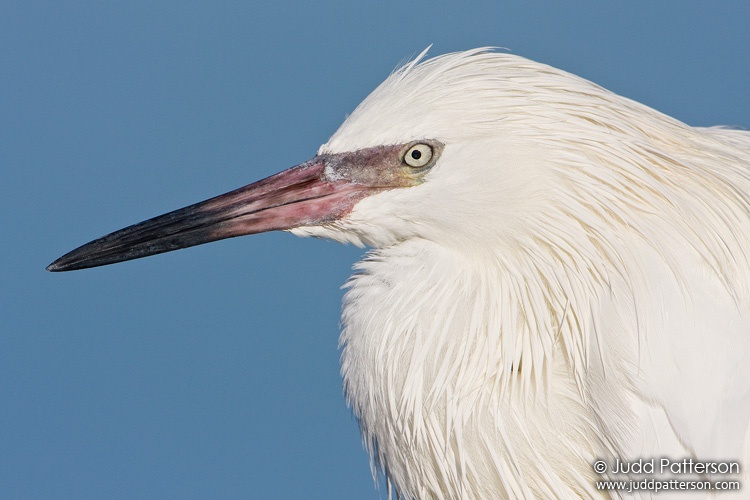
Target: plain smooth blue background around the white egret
pixel 213 372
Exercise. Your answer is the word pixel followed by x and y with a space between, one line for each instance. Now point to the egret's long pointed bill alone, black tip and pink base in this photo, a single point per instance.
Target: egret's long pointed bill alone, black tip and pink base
pixel 296 197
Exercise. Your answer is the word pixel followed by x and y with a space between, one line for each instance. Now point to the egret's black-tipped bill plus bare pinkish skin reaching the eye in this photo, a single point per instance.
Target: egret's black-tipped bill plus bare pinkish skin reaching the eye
pixel 321 190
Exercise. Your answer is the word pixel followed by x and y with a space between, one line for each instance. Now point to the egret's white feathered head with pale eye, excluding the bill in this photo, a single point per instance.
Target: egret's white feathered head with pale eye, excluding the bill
pixel 447 124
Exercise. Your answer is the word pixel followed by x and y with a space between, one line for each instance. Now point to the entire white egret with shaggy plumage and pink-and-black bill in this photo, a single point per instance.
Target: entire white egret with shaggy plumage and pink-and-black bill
pixel 558 275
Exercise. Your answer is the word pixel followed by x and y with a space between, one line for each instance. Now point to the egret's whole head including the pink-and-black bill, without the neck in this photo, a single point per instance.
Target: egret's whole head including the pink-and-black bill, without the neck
pixel 453 149
